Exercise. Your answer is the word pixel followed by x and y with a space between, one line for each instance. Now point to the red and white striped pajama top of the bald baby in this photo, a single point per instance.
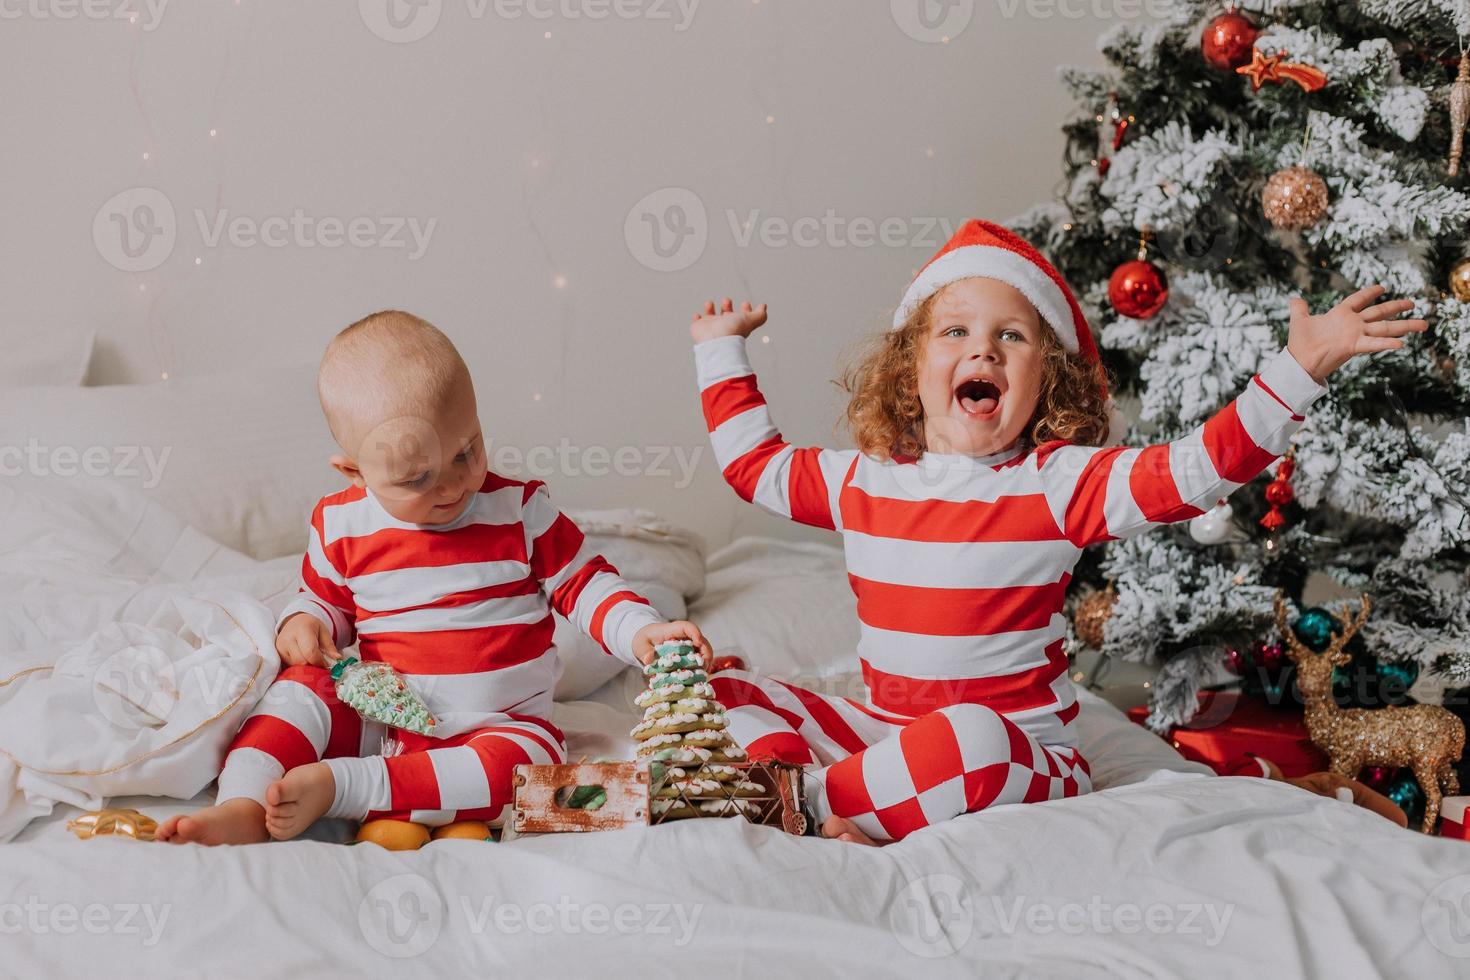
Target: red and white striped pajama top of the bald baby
pixel 464 610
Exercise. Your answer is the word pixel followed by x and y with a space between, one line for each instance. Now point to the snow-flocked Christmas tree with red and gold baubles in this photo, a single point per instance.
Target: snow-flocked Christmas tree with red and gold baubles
pixel 1258 154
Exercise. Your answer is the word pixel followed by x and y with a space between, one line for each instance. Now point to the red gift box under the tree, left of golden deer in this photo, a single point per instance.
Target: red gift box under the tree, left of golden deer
pixel 1230 727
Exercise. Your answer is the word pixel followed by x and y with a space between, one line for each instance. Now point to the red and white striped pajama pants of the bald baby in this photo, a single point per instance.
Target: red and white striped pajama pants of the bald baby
pixel 430 781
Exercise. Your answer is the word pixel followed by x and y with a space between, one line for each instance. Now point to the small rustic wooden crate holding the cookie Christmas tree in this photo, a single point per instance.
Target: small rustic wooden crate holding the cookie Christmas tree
pixel 537 810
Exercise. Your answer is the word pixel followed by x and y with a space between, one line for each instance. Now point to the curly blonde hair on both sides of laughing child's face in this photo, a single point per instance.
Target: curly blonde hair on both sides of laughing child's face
pixel 886 417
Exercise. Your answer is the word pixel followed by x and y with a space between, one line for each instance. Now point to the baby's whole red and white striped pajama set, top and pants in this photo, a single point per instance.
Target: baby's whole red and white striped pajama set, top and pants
pixel 464 612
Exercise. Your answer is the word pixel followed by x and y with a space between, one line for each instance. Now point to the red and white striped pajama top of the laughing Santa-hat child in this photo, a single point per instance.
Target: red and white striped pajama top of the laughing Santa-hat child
pixel 961 565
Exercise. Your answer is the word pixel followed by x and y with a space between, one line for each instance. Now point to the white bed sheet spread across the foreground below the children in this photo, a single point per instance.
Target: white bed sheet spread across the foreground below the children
pixel 1165 872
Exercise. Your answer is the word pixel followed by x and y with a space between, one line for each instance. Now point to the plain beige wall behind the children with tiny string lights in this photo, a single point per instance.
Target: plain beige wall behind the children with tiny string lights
pixel 528 154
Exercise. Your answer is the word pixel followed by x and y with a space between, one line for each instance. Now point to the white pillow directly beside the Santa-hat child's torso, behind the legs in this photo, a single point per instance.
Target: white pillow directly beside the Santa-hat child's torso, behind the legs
pixel 787 609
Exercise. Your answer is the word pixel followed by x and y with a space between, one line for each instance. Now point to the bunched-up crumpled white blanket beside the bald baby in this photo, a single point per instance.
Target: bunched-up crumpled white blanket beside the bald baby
pixel 136 709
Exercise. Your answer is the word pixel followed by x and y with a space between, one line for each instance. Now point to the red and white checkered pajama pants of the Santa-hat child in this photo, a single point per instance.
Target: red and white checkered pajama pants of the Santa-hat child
pixel 893 775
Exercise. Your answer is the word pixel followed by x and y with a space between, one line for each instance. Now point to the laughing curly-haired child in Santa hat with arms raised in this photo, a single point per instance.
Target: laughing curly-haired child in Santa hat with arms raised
pixel 977 483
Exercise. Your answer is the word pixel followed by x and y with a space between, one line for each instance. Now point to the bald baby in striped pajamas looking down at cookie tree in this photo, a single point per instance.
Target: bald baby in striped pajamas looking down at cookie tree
pixel 439 568
